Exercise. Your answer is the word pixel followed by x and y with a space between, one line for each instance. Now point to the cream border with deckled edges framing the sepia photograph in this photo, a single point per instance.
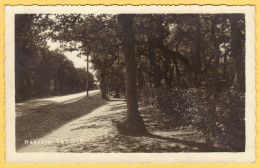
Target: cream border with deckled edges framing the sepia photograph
pixel 220 157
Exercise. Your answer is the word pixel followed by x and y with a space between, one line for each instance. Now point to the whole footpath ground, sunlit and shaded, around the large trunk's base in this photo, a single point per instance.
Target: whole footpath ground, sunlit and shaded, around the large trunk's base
pixel 95 132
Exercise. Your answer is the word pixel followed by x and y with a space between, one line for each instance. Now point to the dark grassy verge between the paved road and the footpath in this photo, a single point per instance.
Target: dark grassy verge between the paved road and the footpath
pixel 50 117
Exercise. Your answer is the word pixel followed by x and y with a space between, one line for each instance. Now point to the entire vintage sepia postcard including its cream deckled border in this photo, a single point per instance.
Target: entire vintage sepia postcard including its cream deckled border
pixel 130 84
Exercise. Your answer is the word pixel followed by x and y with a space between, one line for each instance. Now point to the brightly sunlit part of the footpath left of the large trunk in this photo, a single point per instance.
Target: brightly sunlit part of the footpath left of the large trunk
pixel 86 129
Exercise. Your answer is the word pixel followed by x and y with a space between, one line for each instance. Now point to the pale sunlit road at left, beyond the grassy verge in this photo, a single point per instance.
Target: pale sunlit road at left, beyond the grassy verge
pixel 30 106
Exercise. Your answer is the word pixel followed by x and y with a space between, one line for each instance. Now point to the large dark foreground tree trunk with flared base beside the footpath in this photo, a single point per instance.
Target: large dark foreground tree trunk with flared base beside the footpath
pixel 134 124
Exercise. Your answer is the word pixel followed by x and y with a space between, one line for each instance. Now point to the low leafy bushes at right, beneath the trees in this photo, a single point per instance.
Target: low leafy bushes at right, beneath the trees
pixel 219 116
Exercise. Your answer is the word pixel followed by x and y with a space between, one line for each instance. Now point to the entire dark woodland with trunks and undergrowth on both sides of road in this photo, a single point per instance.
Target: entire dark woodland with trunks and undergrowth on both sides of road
pixel 191 66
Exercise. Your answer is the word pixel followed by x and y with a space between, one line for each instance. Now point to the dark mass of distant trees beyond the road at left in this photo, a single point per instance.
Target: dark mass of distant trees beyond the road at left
pixel 40 72
